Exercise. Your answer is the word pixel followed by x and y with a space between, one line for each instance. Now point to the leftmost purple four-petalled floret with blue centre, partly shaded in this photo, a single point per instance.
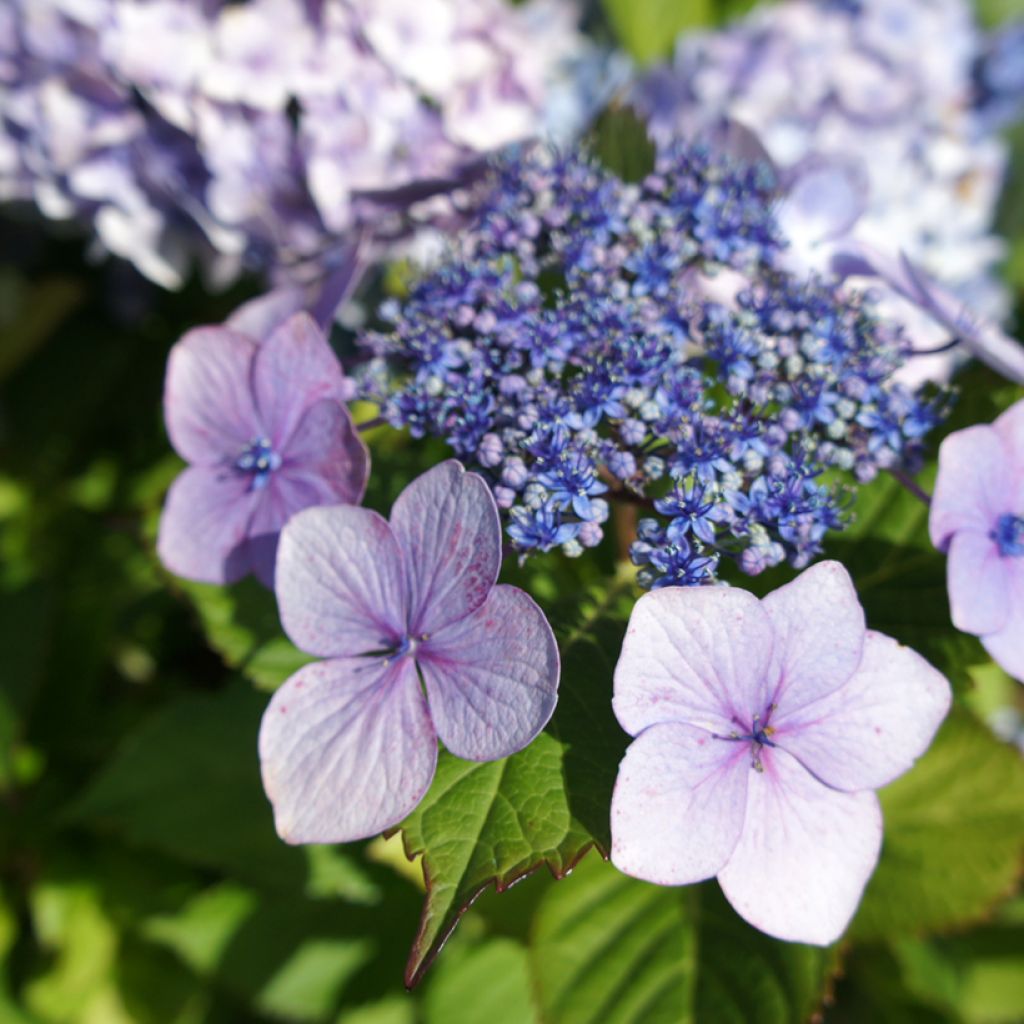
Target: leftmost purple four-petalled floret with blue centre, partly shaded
pixel 265 429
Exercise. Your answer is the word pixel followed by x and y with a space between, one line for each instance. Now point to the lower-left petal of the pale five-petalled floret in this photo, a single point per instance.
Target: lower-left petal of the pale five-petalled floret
pixel 679 804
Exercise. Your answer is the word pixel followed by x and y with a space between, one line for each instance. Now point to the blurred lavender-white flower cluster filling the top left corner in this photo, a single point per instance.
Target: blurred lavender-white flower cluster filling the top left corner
pixel 270 135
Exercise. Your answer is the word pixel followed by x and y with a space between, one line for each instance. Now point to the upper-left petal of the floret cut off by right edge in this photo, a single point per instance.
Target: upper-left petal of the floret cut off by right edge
pixel 973 487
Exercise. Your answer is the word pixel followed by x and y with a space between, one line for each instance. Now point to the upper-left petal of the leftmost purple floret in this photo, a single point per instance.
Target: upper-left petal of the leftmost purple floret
pixel 208 404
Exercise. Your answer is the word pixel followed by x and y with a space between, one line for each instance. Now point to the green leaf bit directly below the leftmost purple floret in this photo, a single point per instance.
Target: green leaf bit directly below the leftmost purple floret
pixel 242 625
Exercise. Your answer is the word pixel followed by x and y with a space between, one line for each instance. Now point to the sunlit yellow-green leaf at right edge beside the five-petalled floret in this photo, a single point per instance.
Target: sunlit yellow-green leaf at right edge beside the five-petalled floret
pixel 954 837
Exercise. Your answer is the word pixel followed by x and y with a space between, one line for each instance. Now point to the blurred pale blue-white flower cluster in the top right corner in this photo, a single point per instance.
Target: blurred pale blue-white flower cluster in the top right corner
pixel 874 113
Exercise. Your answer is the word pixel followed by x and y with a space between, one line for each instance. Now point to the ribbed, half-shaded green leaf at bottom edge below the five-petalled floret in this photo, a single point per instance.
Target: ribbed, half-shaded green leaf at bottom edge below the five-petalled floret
pixel 610 950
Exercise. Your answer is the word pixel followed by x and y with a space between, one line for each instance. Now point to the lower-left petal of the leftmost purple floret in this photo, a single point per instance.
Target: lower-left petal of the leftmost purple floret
pixel 205 525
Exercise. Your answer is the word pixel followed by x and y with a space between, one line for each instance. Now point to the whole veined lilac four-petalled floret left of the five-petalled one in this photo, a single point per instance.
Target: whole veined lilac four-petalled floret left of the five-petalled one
pixel 405 612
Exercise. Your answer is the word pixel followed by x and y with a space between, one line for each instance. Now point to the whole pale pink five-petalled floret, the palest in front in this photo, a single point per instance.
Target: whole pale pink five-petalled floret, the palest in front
pixel 762 731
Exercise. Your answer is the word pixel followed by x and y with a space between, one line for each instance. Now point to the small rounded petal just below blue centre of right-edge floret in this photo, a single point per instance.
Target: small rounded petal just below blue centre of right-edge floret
pixel 978 582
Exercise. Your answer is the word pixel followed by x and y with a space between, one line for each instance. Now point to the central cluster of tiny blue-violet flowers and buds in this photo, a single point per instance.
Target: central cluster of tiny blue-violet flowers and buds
pixel 591 340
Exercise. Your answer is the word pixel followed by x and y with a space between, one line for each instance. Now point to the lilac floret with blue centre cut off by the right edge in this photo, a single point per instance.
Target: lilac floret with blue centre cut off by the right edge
pixel 977 518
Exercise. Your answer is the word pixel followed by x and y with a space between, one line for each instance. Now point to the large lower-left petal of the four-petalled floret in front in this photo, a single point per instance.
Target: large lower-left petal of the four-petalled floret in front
pixel 347 750
